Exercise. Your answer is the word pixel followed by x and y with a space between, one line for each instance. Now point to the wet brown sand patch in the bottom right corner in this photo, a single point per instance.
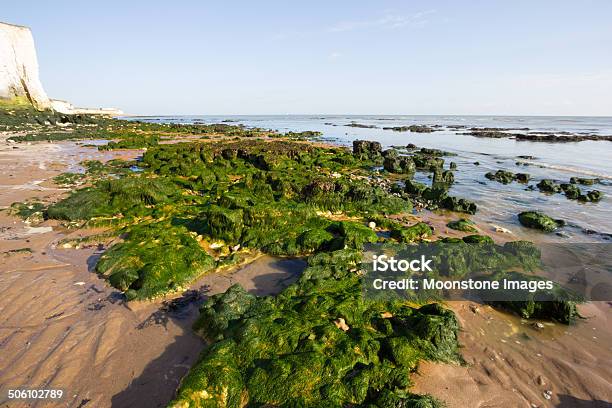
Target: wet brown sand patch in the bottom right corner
pixel 511 363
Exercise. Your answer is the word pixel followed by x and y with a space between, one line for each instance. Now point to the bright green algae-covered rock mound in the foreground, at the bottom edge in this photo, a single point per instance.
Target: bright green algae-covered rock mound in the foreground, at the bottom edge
pixel 290 349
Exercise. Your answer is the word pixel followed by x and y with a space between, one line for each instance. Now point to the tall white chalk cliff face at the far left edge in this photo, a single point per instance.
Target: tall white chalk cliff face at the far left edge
pixel 19 66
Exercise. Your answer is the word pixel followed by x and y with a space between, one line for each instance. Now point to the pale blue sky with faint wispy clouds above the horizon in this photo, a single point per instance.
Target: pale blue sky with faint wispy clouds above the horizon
pixel 360 57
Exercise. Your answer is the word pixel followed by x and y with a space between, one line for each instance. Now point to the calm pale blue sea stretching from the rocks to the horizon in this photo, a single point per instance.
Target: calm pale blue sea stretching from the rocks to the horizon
pixel 498 204
